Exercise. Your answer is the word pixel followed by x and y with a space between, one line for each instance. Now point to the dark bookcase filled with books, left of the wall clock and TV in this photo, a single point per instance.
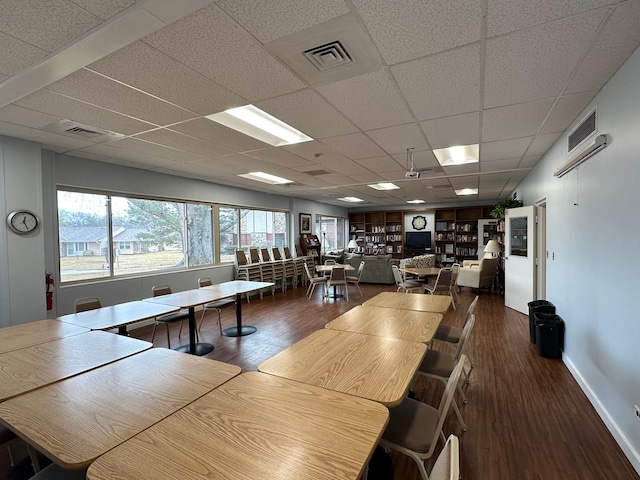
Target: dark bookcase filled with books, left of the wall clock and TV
pixel 377 232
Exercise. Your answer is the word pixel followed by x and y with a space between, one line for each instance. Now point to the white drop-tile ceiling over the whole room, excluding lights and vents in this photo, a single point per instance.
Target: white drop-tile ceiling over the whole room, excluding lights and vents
pixel 508 74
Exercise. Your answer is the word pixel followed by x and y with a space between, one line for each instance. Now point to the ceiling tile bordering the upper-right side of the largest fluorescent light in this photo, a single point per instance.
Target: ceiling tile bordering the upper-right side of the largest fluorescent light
pixel 310 113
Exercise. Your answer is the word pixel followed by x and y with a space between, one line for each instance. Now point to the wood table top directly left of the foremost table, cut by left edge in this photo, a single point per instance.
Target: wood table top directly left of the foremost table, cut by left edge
pixel 78 419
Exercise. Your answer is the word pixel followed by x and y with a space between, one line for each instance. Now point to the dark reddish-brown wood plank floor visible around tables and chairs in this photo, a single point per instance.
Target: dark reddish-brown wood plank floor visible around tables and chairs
pixel 527 418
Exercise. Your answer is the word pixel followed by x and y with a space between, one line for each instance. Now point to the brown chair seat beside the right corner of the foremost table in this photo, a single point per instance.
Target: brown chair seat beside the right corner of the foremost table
pixel 411 425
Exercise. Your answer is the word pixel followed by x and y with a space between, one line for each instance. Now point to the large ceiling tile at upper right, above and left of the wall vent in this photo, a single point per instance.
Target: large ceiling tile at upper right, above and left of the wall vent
pixel 528 64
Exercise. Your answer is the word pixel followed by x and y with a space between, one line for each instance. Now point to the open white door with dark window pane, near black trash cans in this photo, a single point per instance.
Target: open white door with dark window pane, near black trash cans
pixel 519 255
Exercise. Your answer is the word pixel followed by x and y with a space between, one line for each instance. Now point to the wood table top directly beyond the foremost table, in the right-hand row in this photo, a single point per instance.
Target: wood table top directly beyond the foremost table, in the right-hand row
pixel 375 368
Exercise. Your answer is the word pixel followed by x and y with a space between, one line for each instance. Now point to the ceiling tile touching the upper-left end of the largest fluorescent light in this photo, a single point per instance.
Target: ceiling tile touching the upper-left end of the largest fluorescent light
pixel 150 71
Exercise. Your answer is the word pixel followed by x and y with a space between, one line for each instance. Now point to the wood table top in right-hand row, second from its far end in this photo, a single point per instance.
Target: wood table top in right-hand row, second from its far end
pixel 388 322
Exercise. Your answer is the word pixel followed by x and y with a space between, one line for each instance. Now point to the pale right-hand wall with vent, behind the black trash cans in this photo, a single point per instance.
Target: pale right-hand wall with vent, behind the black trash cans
pixel 593 239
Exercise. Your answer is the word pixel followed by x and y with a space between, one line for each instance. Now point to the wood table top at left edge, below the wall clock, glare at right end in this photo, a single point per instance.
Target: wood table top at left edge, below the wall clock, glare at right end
pixel 34 333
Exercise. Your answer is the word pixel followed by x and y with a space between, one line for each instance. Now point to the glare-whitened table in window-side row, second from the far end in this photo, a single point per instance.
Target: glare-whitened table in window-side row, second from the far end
pixel 118 316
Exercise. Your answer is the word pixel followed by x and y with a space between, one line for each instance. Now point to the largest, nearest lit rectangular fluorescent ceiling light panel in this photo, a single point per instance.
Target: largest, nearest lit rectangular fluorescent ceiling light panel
pixel 259 124
